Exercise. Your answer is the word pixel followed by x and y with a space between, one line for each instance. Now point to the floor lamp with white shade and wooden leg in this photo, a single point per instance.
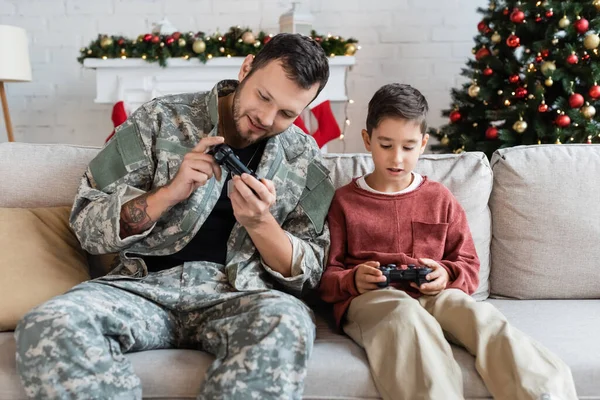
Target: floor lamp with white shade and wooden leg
pixel 14 65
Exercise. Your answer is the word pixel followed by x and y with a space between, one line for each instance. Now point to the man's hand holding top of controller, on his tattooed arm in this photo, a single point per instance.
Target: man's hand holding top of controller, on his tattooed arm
pixel 196 169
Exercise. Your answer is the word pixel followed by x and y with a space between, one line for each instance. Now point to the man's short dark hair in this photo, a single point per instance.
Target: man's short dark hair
pixel 303 59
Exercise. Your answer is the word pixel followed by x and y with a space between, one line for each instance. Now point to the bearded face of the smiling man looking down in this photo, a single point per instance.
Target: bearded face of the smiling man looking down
pixel 267 102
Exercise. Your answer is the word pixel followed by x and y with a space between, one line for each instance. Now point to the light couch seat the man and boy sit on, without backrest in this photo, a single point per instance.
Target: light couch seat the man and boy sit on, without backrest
pixel 338 368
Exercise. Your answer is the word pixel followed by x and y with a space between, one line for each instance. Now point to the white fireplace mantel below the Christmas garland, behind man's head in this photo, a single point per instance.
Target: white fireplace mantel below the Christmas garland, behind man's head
pixel 135 81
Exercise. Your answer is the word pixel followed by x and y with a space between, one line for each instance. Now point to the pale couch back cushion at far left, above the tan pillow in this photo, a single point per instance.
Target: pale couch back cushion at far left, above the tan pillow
pixel 41 175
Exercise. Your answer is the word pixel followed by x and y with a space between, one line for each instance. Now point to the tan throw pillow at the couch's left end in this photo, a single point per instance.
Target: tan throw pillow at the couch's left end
pixel 40 258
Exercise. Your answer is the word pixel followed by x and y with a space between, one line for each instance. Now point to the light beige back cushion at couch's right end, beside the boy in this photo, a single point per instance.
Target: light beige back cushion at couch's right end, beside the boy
pixel 546 222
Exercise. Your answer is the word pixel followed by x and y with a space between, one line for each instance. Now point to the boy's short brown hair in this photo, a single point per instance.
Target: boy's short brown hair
pixel 397 100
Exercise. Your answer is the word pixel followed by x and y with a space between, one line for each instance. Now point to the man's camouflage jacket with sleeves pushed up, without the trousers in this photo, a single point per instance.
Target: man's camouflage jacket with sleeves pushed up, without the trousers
pixel 146 152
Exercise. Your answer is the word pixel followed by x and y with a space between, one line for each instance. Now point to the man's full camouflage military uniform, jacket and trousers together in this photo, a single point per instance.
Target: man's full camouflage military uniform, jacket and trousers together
pixel 244 313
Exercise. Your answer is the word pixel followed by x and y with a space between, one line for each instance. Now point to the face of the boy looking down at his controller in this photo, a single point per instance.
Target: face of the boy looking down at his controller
pixel 395 145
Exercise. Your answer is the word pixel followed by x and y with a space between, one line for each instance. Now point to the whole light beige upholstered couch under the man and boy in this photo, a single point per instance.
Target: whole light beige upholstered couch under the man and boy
pixel 535 218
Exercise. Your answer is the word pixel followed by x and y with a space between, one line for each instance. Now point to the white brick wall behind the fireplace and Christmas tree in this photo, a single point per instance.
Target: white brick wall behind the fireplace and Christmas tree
pixel 424 43
